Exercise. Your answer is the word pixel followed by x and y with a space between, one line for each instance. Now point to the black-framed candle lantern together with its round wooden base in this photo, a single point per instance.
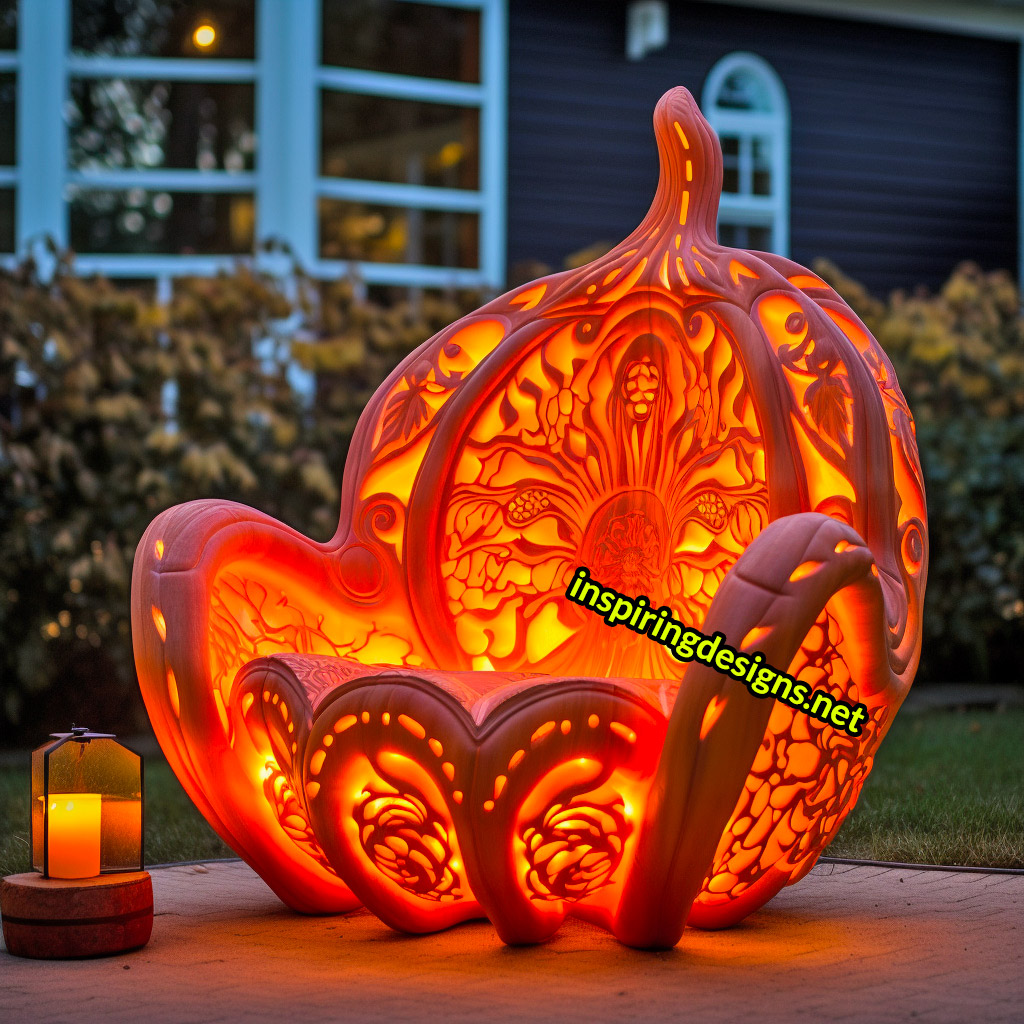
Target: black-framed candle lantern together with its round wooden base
pixel 90 894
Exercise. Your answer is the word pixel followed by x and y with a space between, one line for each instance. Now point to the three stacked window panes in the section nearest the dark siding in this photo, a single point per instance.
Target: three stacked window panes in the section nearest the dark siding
pixel 426 137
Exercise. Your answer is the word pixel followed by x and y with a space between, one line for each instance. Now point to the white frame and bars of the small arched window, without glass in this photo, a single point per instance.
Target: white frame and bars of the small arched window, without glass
pixel 755 211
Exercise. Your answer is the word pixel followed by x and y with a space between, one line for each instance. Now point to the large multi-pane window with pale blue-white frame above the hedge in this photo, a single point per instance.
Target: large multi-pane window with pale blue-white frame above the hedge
pixel 159 138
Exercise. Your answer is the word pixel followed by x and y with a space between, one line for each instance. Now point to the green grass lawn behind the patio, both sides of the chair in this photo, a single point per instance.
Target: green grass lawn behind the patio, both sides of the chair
pixel 948 789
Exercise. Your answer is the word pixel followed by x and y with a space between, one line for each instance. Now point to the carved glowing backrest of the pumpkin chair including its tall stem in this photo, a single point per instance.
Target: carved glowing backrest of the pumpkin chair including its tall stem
pixel 646 416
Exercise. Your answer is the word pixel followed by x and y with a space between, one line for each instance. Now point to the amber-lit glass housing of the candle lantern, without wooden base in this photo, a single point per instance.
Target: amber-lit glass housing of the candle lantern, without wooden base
pixel 100 771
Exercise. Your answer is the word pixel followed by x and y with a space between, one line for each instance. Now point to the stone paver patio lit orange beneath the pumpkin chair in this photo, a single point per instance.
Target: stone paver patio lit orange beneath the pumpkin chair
pixel 848 944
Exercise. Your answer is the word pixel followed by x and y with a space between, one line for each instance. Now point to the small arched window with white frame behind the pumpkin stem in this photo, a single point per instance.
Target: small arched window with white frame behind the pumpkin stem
pixel 745 102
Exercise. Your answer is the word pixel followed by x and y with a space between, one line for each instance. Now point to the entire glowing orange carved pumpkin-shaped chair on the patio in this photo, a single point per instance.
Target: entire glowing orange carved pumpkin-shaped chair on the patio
pixel 414 717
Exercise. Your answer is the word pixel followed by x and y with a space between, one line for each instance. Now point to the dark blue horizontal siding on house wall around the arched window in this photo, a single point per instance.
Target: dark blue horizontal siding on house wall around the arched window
pixel 904 144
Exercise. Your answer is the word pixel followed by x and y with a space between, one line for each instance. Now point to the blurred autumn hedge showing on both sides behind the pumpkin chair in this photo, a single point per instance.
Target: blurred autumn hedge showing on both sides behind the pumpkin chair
pixel 114 408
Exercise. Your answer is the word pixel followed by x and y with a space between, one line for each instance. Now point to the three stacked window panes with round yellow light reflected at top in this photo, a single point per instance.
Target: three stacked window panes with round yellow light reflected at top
pixel 129 129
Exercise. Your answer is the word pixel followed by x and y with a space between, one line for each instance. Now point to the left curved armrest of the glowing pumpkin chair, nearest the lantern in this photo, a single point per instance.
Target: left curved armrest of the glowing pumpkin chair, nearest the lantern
pixel 216 585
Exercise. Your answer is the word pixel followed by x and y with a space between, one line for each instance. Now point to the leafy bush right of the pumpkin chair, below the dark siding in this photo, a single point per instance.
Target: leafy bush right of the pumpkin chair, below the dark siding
pixel 960 360
